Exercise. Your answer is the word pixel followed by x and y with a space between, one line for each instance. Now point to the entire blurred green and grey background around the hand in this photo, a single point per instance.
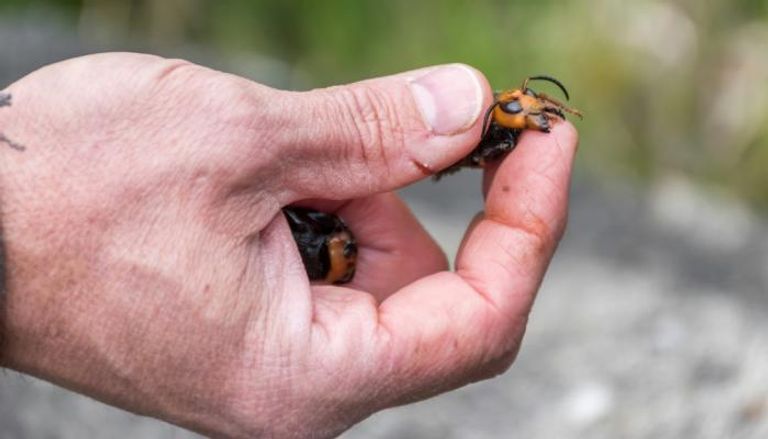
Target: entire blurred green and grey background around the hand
pixel 652 320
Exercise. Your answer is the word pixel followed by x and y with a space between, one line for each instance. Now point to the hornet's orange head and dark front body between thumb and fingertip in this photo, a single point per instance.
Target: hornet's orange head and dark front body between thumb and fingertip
pixel 512 112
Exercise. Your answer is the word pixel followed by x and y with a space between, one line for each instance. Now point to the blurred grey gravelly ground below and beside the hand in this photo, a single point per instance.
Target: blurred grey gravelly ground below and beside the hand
pixel 651 322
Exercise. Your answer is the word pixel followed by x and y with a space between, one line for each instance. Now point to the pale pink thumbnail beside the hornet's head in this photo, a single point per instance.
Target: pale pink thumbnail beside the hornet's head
pixel 449 98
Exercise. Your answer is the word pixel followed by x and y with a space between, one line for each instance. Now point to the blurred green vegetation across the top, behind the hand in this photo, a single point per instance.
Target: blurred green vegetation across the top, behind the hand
pixel 668 87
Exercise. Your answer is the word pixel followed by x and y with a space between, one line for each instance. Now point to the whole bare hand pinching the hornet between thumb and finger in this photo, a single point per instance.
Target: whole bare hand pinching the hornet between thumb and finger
pixel 149 265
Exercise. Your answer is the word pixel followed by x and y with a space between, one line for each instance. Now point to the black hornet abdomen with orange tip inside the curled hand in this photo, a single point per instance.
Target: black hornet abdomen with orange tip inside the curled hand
pixel 327 247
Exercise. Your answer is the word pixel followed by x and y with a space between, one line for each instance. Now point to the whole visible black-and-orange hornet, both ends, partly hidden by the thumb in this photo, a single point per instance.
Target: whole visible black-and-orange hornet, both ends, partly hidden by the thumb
pixel 328 248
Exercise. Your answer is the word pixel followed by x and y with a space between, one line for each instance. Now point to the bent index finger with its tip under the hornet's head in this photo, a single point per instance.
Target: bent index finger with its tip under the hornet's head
pixel 449 328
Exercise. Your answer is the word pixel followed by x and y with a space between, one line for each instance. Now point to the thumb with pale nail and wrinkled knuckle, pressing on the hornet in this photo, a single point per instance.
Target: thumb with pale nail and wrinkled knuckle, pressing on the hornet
pixel 380 134
